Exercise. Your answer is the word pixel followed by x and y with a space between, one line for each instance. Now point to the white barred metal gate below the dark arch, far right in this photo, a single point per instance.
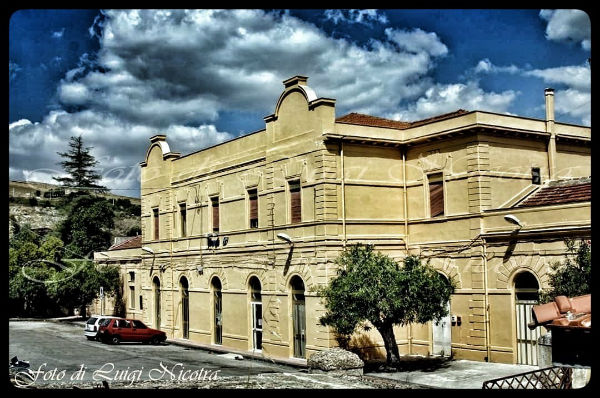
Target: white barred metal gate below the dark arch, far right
pixel 526 338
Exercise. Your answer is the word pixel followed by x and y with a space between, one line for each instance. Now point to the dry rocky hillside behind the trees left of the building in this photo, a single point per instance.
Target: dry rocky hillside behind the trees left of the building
pixel 43 207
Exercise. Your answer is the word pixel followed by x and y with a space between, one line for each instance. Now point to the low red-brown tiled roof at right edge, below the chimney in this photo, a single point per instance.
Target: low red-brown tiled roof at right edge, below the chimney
pixel 559 193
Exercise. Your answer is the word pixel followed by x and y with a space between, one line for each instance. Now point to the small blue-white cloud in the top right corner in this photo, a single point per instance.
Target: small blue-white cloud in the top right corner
pixel 568 25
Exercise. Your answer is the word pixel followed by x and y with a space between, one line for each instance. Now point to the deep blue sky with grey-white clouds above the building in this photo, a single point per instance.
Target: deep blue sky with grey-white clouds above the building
pixel 205 76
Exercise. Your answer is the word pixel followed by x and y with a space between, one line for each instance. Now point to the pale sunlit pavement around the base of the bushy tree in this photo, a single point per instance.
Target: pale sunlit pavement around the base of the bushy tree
pixel 455 374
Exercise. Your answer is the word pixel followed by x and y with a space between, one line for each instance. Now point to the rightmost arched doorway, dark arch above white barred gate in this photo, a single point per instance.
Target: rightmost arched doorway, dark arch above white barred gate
pixel 526 288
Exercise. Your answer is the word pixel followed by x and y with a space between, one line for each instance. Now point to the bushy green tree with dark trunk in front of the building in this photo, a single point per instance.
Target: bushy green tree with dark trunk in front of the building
pixel 373 287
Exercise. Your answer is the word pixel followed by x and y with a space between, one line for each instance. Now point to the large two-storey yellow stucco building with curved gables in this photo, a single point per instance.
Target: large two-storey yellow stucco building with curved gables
pixel 235 236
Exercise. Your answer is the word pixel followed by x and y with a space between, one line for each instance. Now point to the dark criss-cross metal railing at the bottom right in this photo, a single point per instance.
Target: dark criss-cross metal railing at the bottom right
pixel 547 378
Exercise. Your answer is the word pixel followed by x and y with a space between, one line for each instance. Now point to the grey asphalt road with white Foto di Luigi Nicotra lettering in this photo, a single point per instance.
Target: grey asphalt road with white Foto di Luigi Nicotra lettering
pixel 60 353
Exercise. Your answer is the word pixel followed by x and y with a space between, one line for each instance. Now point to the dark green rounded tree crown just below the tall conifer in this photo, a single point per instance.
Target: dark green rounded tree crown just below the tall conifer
pixel 87 226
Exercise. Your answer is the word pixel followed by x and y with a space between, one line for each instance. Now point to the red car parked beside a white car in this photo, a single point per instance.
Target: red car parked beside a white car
pixel 120 329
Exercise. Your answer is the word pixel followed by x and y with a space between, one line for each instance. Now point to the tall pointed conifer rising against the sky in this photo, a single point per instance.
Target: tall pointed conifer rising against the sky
pixel 79 164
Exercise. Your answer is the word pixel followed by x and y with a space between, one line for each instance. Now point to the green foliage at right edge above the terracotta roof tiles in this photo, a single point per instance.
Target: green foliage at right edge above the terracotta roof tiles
pixel 573 277
